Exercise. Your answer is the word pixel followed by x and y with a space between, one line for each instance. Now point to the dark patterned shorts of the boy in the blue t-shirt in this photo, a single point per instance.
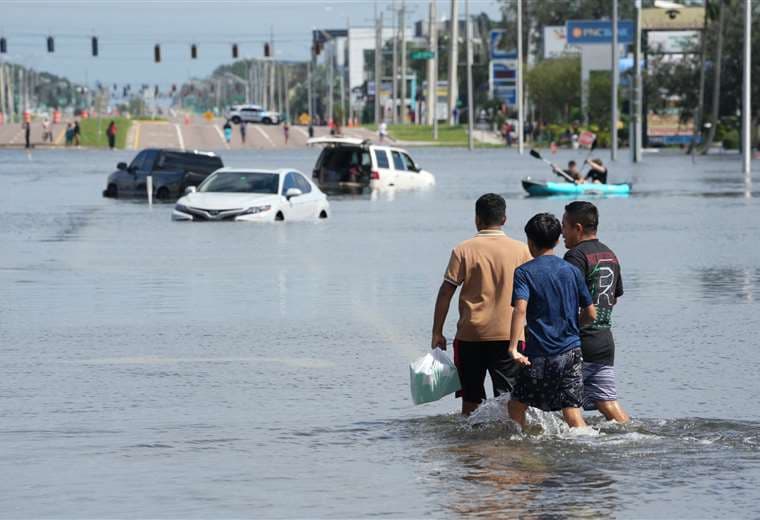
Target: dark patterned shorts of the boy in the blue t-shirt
pixel 552 383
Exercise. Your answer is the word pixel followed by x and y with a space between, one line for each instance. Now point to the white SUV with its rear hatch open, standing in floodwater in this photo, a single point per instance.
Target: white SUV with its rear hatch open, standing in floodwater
pixel 353 165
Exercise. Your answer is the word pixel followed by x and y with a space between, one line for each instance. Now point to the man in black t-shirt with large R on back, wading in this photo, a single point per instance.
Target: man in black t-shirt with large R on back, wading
pixel 601 269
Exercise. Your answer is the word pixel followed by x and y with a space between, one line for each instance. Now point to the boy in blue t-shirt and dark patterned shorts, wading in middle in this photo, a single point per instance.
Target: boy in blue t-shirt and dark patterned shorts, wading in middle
pixel 548 291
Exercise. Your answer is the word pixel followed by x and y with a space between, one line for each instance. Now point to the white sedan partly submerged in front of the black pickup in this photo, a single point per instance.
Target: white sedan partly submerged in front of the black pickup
pixel 253 196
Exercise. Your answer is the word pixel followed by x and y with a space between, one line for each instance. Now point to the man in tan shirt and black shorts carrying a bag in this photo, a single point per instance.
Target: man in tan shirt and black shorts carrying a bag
pixel 484 267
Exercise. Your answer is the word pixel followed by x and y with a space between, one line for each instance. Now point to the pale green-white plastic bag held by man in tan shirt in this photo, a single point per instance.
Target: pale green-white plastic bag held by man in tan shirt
pixel 433 376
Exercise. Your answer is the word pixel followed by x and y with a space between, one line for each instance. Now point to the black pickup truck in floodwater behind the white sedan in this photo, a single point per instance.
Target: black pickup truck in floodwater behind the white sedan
pixel 172 172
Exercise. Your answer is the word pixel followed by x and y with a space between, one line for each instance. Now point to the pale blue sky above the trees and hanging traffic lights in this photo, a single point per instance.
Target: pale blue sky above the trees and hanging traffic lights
pixel 127 30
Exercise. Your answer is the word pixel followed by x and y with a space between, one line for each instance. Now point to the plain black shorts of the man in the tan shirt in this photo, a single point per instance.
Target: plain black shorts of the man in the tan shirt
pixel 474 358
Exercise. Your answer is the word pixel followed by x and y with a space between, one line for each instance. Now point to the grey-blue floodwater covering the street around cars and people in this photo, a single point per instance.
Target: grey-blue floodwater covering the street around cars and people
pixel 150 368
